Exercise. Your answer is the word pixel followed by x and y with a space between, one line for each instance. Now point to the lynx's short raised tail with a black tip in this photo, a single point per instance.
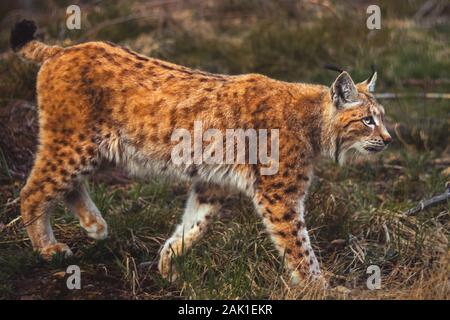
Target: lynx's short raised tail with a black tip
pixel 23 43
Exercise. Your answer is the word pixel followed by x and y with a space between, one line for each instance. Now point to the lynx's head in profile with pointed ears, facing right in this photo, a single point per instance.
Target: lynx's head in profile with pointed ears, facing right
pixel 356 118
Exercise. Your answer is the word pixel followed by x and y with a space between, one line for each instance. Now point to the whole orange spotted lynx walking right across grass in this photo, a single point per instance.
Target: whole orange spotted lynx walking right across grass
pixel 100 102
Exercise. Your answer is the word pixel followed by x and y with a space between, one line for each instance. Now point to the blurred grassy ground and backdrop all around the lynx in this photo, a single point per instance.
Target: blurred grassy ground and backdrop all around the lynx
pixel 355 212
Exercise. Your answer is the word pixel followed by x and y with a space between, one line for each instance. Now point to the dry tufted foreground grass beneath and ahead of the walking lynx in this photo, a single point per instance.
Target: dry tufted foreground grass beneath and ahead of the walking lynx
pixel 354 213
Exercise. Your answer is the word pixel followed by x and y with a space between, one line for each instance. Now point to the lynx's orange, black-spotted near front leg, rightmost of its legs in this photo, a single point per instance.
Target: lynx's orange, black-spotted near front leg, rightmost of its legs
pixel 280 203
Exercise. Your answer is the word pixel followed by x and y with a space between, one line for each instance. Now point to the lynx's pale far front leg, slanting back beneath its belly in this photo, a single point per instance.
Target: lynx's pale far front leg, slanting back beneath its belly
pixel 203 202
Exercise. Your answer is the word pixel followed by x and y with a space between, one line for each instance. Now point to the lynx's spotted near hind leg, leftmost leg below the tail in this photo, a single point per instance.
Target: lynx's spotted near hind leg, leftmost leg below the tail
pixel 61 163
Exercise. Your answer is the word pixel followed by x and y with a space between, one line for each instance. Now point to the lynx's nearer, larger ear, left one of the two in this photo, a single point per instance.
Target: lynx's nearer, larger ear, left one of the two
pixel 343 91
